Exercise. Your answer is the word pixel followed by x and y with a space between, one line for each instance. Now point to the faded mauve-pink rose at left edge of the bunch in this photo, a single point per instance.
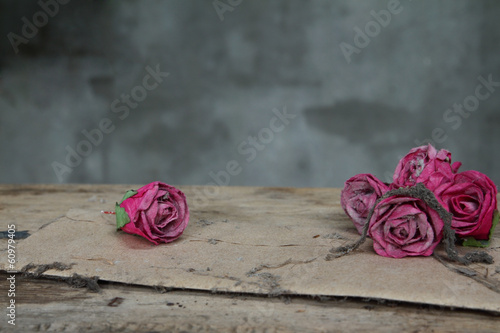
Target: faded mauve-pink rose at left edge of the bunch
pixel 358 197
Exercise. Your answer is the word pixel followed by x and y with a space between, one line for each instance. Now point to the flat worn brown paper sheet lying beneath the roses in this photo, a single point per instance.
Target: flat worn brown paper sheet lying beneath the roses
pixel 259 240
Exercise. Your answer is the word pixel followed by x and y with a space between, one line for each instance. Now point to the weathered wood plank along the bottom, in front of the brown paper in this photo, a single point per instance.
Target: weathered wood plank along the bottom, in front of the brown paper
pixel 44 305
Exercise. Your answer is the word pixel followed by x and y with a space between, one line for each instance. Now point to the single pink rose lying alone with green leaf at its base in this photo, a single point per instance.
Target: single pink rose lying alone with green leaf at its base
pixel 157 212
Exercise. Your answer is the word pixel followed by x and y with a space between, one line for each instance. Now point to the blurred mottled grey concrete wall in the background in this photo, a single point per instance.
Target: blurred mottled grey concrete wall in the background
pixel 232 67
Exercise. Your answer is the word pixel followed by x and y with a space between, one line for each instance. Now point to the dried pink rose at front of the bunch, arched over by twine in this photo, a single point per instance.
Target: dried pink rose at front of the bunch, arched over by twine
pixel 405 226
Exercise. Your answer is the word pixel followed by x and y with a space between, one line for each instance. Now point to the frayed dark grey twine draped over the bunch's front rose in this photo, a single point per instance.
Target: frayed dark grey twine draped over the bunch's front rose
pixel 419 191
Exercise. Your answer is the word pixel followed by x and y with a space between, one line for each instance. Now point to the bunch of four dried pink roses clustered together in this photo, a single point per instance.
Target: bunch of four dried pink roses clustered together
pixel 405 226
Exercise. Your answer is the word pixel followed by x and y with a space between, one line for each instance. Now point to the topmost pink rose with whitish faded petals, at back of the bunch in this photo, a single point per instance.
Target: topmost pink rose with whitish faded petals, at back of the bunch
pixel 426 165
